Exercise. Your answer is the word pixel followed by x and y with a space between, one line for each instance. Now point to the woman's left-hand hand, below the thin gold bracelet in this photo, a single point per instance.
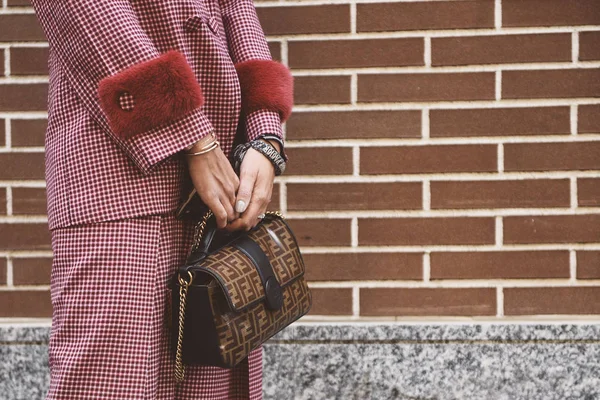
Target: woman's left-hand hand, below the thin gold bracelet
pixel 216 183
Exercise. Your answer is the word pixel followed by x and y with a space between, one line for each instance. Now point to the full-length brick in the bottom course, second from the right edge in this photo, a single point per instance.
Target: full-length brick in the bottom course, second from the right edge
pixel 427 301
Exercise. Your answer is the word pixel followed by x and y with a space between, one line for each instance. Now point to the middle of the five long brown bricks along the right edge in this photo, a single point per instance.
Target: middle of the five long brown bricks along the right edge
pixel 551 156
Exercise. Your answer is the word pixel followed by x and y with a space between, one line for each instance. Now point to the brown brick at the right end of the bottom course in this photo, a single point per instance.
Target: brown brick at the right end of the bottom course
pixel 551 300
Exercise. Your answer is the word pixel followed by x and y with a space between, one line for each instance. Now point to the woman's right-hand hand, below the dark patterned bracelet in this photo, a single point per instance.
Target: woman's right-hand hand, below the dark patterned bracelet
pixel 254 193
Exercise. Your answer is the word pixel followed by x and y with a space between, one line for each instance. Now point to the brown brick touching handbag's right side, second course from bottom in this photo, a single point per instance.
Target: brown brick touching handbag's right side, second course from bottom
pixel 363 266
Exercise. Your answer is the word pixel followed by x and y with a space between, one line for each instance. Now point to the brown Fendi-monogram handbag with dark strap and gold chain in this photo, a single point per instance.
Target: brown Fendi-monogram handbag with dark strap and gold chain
pixel 235 291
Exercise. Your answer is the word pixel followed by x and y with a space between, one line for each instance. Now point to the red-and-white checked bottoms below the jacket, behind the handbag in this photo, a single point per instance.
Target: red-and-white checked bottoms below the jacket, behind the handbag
pixel 110 327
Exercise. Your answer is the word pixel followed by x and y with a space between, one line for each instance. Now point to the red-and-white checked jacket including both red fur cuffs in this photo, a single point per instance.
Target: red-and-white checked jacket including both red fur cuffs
pixel 132 83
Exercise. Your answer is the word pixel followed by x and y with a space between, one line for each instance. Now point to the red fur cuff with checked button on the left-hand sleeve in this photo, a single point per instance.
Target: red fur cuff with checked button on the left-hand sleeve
pixel 148 94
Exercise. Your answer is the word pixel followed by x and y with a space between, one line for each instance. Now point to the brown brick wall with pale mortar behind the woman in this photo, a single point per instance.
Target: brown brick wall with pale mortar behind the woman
pixel 444 156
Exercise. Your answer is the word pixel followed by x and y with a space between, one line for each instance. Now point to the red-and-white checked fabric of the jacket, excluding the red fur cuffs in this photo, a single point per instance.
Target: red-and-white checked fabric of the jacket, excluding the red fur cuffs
pixel 92 173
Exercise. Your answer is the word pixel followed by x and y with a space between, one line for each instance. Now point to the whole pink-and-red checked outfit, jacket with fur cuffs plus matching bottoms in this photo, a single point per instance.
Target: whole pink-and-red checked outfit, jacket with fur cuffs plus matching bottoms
pixel 133 83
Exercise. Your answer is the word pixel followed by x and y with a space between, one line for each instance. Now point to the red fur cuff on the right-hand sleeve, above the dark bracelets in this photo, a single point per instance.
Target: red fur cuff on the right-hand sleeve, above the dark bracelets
pixel 266 84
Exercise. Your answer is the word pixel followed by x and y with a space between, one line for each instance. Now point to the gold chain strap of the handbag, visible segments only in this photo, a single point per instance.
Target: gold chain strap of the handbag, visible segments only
pixel 183 288
